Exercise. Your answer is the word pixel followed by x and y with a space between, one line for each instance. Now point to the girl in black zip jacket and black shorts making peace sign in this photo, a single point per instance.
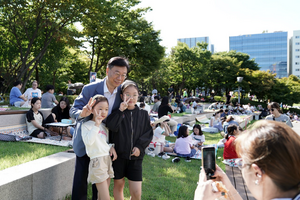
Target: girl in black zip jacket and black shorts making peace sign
pixel 131 133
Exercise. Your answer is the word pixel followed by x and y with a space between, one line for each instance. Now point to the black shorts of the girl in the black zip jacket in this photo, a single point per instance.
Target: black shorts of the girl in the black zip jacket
pixel 131 169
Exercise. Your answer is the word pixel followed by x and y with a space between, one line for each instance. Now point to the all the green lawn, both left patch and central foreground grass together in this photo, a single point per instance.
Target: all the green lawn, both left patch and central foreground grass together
pixel 162 179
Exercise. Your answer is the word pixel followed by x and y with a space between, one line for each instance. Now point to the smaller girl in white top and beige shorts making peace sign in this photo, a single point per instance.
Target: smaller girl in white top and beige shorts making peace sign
pixel 95 137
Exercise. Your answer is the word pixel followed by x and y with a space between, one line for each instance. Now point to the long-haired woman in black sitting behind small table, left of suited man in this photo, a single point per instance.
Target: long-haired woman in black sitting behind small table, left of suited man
pixel 59 112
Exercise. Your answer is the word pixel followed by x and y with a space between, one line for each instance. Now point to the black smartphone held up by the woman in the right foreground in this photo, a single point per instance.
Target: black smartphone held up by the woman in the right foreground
pixel 209 161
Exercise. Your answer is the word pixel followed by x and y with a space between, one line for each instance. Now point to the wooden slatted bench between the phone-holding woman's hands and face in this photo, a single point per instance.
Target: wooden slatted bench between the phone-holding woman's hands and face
pixel 235 176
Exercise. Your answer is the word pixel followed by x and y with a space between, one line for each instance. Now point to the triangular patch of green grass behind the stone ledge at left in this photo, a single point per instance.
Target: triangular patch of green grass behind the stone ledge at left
pixel 16 153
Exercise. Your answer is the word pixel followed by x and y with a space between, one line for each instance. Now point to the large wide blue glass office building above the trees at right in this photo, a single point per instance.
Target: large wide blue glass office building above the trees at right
pixel 270 50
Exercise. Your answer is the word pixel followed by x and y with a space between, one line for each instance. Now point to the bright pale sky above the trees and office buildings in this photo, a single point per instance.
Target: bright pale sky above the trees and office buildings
pixel 219 19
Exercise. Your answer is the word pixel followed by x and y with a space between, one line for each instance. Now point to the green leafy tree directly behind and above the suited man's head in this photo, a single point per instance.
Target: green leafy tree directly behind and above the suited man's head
pixel 120 30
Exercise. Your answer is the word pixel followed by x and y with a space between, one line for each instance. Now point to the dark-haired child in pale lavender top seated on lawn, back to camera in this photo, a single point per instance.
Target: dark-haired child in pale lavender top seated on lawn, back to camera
pixel 184 145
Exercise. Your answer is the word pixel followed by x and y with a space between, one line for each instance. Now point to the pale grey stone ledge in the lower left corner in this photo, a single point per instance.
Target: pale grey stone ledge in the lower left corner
pixel 46 178
